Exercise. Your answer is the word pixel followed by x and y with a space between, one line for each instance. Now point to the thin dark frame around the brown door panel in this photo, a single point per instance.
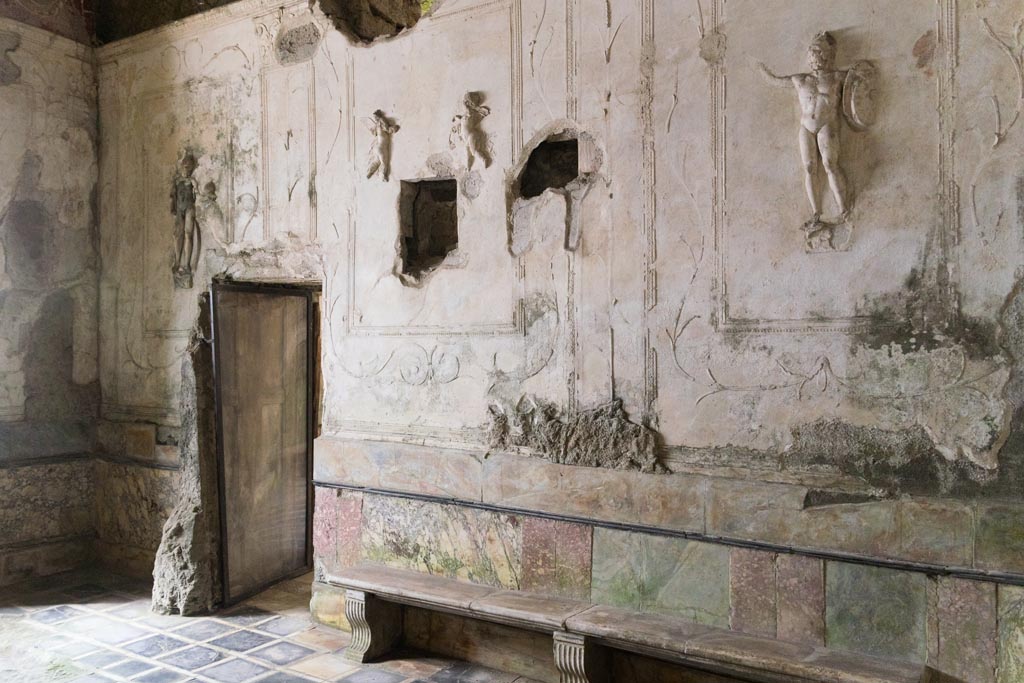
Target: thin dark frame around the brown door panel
pixel 307 290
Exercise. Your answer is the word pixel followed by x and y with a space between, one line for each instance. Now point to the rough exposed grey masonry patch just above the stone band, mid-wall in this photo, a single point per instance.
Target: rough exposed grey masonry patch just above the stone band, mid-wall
pixel 604 437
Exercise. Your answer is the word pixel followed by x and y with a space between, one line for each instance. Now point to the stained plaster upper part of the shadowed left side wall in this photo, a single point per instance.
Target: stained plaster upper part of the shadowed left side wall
pixel 49 266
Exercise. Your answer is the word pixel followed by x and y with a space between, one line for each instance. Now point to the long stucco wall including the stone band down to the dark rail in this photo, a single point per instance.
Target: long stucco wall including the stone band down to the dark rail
pixel 855 398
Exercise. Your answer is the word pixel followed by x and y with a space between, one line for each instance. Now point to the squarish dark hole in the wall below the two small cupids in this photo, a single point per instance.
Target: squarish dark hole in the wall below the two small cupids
pixel 430 220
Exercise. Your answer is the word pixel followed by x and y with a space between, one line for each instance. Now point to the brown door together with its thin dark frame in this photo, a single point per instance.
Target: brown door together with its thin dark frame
pixel 266 366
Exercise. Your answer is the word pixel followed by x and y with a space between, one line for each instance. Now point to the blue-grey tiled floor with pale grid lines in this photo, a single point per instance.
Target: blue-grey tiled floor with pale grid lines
pixel 94 628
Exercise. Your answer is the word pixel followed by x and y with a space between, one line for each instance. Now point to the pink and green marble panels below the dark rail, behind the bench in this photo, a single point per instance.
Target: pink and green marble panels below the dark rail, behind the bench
pixel 969 630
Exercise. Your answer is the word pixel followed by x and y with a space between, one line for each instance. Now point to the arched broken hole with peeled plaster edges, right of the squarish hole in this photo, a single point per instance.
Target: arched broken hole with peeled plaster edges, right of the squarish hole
pixel 544 174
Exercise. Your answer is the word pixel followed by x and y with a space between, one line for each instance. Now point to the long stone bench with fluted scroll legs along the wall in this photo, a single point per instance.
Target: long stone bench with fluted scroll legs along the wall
pixel 584 634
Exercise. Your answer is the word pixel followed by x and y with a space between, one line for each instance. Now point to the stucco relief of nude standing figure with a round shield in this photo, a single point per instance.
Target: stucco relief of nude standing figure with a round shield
pixel 827 96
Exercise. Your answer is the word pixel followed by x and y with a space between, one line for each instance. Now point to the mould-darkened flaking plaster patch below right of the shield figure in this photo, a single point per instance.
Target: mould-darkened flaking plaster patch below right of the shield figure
pixel 948 372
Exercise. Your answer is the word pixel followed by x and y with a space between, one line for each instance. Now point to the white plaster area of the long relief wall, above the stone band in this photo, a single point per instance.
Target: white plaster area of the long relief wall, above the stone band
pixel 692 296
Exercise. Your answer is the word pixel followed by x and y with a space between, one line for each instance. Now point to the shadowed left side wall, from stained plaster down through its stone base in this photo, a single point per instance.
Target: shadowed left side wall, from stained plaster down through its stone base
pixel 50 388
